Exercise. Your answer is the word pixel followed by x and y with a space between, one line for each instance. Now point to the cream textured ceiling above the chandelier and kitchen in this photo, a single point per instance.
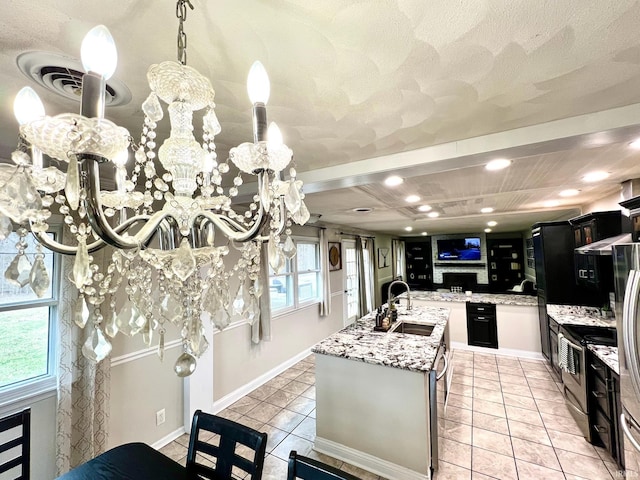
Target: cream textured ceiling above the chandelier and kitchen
pixel 362 81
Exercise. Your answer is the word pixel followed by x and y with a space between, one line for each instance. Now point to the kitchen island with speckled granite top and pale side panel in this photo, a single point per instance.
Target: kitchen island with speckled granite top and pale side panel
pixel 373 395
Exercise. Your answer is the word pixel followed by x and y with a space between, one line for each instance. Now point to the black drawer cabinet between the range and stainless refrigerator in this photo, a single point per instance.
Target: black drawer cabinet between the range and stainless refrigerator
pixel 603 386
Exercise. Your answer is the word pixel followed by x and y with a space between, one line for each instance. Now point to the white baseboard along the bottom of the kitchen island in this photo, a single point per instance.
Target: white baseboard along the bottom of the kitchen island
pixel 368 462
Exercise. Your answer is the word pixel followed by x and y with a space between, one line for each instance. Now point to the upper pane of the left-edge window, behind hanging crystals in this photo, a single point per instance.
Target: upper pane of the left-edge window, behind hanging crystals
pixel 10 293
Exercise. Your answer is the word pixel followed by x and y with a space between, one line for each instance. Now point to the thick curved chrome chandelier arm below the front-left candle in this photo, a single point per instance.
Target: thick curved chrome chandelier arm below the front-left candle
pixel 98 220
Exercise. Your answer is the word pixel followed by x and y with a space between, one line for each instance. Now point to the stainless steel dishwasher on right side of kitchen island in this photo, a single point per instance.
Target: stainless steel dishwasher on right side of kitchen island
pixel 439 383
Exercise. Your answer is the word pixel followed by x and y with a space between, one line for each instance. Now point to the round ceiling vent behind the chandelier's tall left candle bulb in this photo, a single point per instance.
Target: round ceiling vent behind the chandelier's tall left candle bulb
pixel 63 75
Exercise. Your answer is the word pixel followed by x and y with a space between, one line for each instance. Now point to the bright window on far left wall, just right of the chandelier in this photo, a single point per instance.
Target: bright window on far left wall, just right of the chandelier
pixel 299 283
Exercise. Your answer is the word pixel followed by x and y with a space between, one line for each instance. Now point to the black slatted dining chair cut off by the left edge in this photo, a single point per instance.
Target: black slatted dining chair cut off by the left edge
pixel 15 431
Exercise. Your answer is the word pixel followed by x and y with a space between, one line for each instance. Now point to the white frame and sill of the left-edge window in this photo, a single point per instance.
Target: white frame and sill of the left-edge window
pixel 34 389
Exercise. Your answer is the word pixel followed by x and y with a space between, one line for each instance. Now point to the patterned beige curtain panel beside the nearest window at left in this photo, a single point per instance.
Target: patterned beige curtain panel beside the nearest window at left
pixel 83 387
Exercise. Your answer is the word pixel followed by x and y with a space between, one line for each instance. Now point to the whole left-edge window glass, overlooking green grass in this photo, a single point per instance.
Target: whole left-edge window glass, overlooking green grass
pixel 27 323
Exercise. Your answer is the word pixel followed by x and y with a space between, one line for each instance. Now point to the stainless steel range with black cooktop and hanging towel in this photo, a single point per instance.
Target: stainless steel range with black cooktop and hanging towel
pixel 574 374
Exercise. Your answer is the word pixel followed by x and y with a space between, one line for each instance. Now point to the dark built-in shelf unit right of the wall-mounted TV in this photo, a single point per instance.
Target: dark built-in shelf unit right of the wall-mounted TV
pixel 506 263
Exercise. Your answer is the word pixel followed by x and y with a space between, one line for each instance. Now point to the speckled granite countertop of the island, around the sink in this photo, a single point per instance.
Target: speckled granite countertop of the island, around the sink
pixel 416 353
